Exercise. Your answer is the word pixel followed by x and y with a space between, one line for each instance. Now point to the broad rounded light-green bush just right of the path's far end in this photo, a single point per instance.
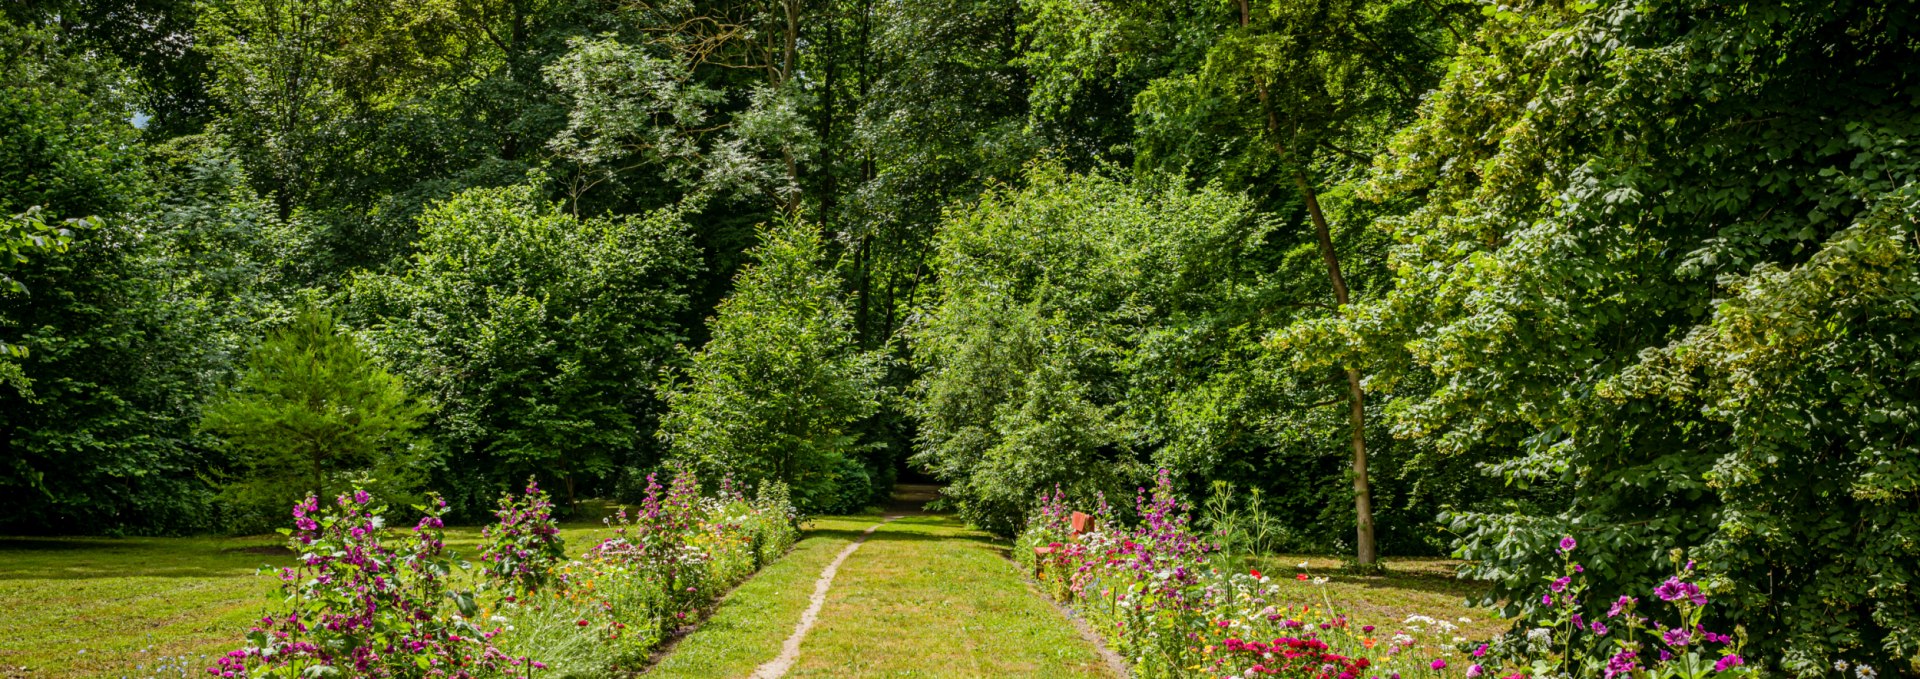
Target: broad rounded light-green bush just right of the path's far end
pixel 1045 317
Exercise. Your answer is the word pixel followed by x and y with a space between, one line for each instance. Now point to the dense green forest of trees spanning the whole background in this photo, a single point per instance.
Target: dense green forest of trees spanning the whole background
pixel 1426 275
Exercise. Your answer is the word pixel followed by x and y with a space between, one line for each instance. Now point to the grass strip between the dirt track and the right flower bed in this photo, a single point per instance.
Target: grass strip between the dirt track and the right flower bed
pixel 928 597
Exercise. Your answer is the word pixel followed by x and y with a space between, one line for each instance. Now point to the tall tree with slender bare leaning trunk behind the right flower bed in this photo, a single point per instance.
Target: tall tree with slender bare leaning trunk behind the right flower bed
pixel 1276 97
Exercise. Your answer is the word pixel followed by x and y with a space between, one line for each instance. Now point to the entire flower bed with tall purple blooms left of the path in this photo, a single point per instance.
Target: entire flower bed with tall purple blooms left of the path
pixel 366 603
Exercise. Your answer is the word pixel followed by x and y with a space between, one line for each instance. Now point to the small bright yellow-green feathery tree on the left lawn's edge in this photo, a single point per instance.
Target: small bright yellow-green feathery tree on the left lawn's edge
pixel 314 415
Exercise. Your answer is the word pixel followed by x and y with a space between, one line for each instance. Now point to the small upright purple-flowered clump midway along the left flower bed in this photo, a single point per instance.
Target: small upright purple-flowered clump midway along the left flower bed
pixel 523 548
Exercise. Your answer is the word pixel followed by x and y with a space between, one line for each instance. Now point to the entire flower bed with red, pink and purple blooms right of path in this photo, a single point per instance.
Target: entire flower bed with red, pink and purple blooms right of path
pixel 1159 599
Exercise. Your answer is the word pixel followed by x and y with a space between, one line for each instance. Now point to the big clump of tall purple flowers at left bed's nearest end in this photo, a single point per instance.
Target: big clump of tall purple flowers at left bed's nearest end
pixel 360 605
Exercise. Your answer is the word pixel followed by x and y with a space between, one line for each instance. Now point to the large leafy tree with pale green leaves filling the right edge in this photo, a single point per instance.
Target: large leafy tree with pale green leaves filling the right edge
pixel 1648 273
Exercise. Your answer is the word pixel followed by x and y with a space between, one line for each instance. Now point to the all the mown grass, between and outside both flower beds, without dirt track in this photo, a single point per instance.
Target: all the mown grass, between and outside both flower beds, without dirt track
pixel 924 597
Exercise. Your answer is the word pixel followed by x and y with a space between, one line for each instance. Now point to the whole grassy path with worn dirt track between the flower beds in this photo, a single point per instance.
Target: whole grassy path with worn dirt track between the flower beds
pixel 924 597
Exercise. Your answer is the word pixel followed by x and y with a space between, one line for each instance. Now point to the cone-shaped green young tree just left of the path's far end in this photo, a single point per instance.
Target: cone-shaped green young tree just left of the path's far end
pixel 780 386
